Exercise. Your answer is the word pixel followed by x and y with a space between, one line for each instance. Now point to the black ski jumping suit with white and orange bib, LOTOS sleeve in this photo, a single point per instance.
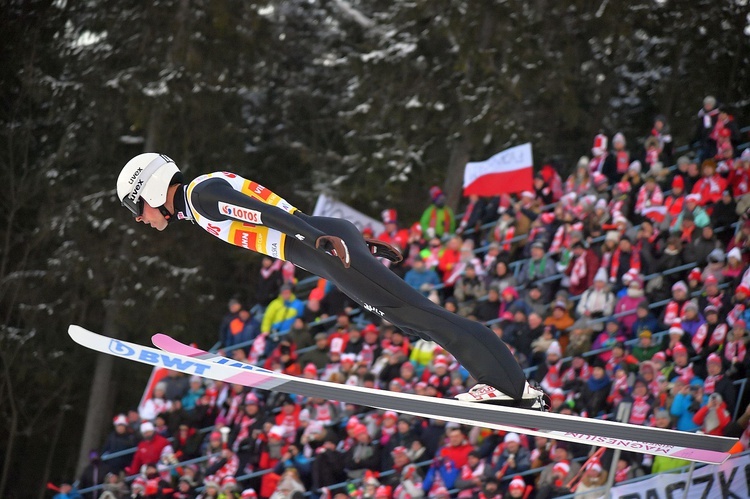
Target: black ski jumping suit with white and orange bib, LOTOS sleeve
pixel 246 214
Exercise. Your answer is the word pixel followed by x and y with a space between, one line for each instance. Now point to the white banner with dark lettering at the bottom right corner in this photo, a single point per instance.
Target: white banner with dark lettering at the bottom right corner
pixel 729 480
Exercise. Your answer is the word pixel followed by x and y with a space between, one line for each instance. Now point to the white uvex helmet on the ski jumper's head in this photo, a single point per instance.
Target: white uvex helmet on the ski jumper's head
pixel 146 177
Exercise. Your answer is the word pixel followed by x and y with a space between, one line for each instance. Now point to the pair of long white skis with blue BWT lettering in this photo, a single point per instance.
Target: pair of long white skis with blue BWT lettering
pixel 177 356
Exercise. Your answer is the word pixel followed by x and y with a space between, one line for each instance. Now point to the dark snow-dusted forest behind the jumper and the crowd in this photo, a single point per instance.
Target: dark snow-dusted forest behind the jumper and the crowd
pixel 370 101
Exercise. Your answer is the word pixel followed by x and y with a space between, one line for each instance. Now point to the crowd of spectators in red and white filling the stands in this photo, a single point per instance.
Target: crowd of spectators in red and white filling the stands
pixel 624 288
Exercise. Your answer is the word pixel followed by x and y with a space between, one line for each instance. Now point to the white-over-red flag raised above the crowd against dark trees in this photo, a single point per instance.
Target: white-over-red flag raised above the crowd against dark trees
pixel 506 172
